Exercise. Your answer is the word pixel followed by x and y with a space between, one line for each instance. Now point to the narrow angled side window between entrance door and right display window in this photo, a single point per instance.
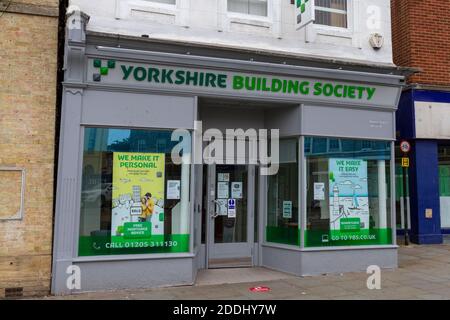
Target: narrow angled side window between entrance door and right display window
pixel 282 198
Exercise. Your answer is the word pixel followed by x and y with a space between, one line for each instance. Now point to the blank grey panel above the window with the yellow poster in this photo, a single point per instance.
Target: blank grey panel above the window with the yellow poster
pixel 126 109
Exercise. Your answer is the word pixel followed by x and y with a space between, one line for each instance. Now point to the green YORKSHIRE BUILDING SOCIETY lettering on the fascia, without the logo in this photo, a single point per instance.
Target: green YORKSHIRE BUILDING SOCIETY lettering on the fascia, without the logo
pixel 240 82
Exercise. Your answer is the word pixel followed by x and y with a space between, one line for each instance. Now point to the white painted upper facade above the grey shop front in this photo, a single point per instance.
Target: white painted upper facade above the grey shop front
pixel 208 22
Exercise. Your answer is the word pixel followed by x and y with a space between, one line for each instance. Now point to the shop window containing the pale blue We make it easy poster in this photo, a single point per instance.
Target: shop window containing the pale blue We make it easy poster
pixel 348 192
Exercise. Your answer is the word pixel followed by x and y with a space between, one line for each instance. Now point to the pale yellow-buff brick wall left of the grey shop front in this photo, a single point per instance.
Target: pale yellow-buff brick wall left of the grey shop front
pixel 28 69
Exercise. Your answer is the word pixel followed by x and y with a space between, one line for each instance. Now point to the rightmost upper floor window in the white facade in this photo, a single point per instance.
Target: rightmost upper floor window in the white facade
pixel 332 13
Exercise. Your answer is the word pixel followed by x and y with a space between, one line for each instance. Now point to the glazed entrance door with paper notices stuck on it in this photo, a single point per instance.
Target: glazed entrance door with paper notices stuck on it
pixel 230 215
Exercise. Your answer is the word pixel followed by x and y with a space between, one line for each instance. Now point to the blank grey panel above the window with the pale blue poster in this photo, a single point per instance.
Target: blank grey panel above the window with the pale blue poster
pixel 347 122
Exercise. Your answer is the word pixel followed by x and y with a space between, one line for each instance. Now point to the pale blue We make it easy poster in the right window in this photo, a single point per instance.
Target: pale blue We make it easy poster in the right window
pixel 349 201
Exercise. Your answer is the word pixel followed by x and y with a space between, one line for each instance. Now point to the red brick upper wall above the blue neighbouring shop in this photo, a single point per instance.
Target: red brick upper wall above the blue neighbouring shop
pixel 421 37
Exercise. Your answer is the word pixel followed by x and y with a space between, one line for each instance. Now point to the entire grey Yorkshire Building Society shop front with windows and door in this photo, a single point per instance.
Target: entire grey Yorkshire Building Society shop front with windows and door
pixel 130 215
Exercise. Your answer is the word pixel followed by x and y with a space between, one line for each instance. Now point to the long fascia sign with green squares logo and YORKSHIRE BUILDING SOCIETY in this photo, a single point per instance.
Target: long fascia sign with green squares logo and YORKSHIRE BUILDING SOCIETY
pixel 237 84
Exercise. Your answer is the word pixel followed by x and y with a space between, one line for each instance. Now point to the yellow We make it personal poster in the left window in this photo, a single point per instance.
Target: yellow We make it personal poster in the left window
pixel 137 196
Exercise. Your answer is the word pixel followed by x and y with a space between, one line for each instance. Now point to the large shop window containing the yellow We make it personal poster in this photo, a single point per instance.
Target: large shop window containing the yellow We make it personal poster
pixel 134 199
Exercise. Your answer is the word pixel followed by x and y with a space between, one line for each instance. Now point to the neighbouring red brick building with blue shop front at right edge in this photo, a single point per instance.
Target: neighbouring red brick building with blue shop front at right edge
pixel 421 37
